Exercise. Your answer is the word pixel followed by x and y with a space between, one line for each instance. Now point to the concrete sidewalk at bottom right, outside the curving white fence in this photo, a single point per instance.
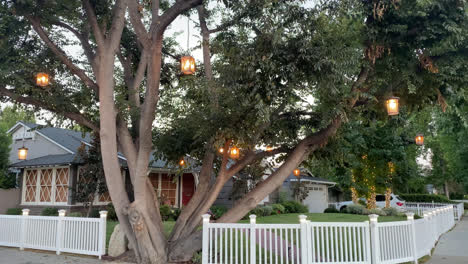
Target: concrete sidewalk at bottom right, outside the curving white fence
pixel 453 246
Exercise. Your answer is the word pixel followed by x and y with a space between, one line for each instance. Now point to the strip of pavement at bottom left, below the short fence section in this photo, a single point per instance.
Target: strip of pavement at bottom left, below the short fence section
pixel 16 256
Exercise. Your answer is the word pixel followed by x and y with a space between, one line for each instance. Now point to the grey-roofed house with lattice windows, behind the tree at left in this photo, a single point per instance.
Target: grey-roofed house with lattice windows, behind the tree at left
pixel 48 176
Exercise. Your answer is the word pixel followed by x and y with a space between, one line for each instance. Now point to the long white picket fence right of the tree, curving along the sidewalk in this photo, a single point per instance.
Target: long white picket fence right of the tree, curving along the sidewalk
pixel 311 242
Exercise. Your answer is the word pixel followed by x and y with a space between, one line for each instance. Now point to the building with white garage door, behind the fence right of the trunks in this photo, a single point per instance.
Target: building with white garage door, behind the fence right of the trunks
pixel 316 189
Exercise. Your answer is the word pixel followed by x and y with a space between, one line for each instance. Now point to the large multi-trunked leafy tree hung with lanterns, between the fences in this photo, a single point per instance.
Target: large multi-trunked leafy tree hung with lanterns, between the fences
pixel 277 73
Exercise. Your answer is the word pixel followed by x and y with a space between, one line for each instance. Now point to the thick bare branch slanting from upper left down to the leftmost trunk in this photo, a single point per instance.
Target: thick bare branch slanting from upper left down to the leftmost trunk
pixel 61 55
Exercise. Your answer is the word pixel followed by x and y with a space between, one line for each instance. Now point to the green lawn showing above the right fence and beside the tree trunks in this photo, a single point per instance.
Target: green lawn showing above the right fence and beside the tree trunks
pixel 284 219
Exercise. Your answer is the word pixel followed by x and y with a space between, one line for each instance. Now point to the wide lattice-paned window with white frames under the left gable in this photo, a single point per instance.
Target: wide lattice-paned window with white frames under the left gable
pixel 46 186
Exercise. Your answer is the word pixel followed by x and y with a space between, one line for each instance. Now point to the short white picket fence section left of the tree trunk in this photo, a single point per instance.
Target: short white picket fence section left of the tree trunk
pixel 55 233
